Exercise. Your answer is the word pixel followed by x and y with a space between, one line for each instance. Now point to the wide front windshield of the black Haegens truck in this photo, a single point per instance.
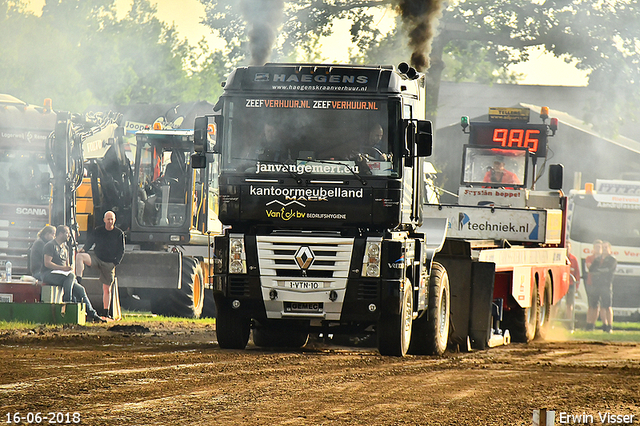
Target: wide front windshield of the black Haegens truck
pixel 309 136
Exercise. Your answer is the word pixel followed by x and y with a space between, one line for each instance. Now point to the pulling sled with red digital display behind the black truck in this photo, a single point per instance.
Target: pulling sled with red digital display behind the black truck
pixel 508 226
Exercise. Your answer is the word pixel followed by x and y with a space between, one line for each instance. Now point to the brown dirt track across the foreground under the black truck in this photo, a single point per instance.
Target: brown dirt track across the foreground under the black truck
pixel 177 375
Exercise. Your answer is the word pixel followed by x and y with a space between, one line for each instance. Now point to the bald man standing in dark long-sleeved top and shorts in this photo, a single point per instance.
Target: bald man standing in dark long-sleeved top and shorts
pixel 108 253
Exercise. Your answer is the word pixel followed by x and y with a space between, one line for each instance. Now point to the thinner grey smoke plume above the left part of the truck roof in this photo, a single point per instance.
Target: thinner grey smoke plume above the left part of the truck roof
pixel 263 19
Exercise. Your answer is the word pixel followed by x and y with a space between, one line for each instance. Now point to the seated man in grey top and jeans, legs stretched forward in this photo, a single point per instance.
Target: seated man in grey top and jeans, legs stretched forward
pixel 58 271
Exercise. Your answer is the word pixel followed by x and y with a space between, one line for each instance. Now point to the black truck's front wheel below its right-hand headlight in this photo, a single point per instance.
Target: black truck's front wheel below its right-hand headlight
pixel 394 330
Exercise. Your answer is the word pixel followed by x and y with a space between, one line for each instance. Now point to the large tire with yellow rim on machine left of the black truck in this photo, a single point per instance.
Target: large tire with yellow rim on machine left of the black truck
pixel 187 301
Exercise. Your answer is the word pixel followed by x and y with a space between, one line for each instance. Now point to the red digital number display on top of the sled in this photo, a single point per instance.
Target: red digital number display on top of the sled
pixel 511 135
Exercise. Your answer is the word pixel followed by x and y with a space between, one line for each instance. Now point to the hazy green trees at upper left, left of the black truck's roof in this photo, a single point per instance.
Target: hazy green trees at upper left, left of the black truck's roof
pixel 79 54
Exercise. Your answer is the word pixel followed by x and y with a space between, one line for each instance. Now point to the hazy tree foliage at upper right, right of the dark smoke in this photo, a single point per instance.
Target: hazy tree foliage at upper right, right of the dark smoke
pixel 602 37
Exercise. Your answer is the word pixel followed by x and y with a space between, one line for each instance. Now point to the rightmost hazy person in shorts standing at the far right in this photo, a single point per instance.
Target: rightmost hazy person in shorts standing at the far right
pixel 602 270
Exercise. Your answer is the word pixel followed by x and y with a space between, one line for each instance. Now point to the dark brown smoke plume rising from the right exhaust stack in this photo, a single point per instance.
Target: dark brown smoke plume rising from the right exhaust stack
pixel 420 18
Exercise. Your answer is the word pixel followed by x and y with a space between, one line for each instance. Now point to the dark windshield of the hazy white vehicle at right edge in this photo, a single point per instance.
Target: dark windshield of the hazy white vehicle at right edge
pixel 619 226
